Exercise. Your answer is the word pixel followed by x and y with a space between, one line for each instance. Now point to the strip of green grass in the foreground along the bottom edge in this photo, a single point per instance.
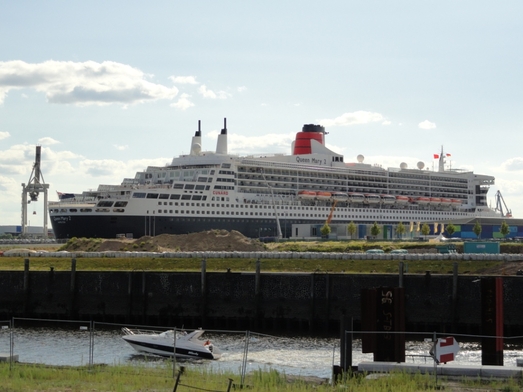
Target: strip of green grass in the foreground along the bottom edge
pixel 122 378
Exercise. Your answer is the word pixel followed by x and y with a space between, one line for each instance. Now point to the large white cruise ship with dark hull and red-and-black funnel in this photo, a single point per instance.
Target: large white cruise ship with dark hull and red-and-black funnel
pixel 267 195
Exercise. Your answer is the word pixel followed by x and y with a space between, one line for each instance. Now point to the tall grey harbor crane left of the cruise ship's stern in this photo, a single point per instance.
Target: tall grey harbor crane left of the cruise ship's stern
pixel 34 187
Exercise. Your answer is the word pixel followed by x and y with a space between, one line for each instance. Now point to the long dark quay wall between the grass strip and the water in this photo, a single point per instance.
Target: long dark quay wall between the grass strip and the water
pixel 264 302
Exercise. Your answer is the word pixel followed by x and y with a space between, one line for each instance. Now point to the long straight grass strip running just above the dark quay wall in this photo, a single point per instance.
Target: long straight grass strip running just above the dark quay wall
pixel 319 265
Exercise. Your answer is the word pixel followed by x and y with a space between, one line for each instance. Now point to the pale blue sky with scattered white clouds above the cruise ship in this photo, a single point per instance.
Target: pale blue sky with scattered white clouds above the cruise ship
pixel 110 87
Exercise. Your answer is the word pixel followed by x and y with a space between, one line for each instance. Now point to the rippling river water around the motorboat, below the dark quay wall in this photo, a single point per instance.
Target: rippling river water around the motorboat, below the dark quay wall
pixel 297 356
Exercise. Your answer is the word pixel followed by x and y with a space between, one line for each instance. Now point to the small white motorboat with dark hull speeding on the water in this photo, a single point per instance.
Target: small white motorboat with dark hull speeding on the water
pixel 188 345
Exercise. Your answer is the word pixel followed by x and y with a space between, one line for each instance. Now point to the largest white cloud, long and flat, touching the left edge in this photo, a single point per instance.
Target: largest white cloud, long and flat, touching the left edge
pixel 87 83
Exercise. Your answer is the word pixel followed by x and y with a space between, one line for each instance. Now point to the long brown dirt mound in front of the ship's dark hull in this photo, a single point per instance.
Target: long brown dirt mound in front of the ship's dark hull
pixel 212 240
